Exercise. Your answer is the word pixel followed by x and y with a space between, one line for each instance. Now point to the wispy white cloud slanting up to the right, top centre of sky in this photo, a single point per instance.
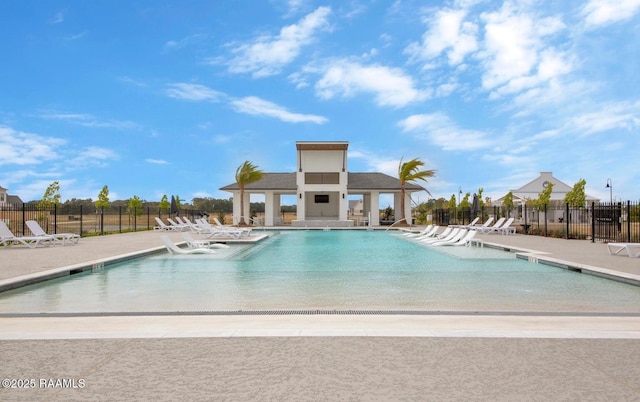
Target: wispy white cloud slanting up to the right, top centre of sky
pixel 267 55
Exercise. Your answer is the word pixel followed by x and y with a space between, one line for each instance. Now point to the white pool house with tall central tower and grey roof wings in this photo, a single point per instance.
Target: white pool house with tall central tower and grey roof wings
pixel 322 185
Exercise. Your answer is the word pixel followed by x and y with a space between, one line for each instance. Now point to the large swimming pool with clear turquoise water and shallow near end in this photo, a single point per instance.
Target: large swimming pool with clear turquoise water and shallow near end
pixel 327 270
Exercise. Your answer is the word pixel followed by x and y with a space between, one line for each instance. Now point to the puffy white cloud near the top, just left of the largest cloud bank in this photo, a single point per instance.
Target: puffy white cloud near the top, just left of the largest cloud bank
pixel 448 33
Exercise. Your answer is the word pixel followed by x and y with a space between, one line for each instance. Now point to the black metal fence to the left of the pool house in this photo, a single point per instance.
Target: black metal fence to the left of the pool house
pixel 84 220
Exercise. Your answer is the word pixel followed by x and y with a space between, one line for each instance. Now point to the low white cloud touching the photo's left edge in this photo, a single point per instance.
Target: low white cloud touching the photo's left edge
pixel 20 148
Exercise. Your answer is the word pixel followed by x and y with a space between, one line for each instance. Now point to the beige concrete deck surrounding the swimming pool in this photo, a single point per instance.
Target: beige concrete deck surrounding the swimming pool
pixel 319 357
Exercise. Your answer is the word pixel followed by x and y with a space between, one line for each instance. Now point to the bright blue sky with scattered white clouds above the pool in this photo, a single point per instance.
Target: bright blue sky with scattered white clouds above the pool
pixel 170 97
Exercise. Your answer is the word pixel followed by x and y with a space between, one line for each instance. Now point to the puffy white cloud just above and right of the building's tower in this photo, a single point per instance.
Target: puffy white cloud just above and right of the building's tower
pixel 390 86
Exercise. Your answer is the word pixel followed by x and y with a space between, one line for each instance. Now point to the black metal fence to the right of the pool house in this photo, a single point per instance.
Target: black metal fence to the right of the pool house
pixel 601 222
